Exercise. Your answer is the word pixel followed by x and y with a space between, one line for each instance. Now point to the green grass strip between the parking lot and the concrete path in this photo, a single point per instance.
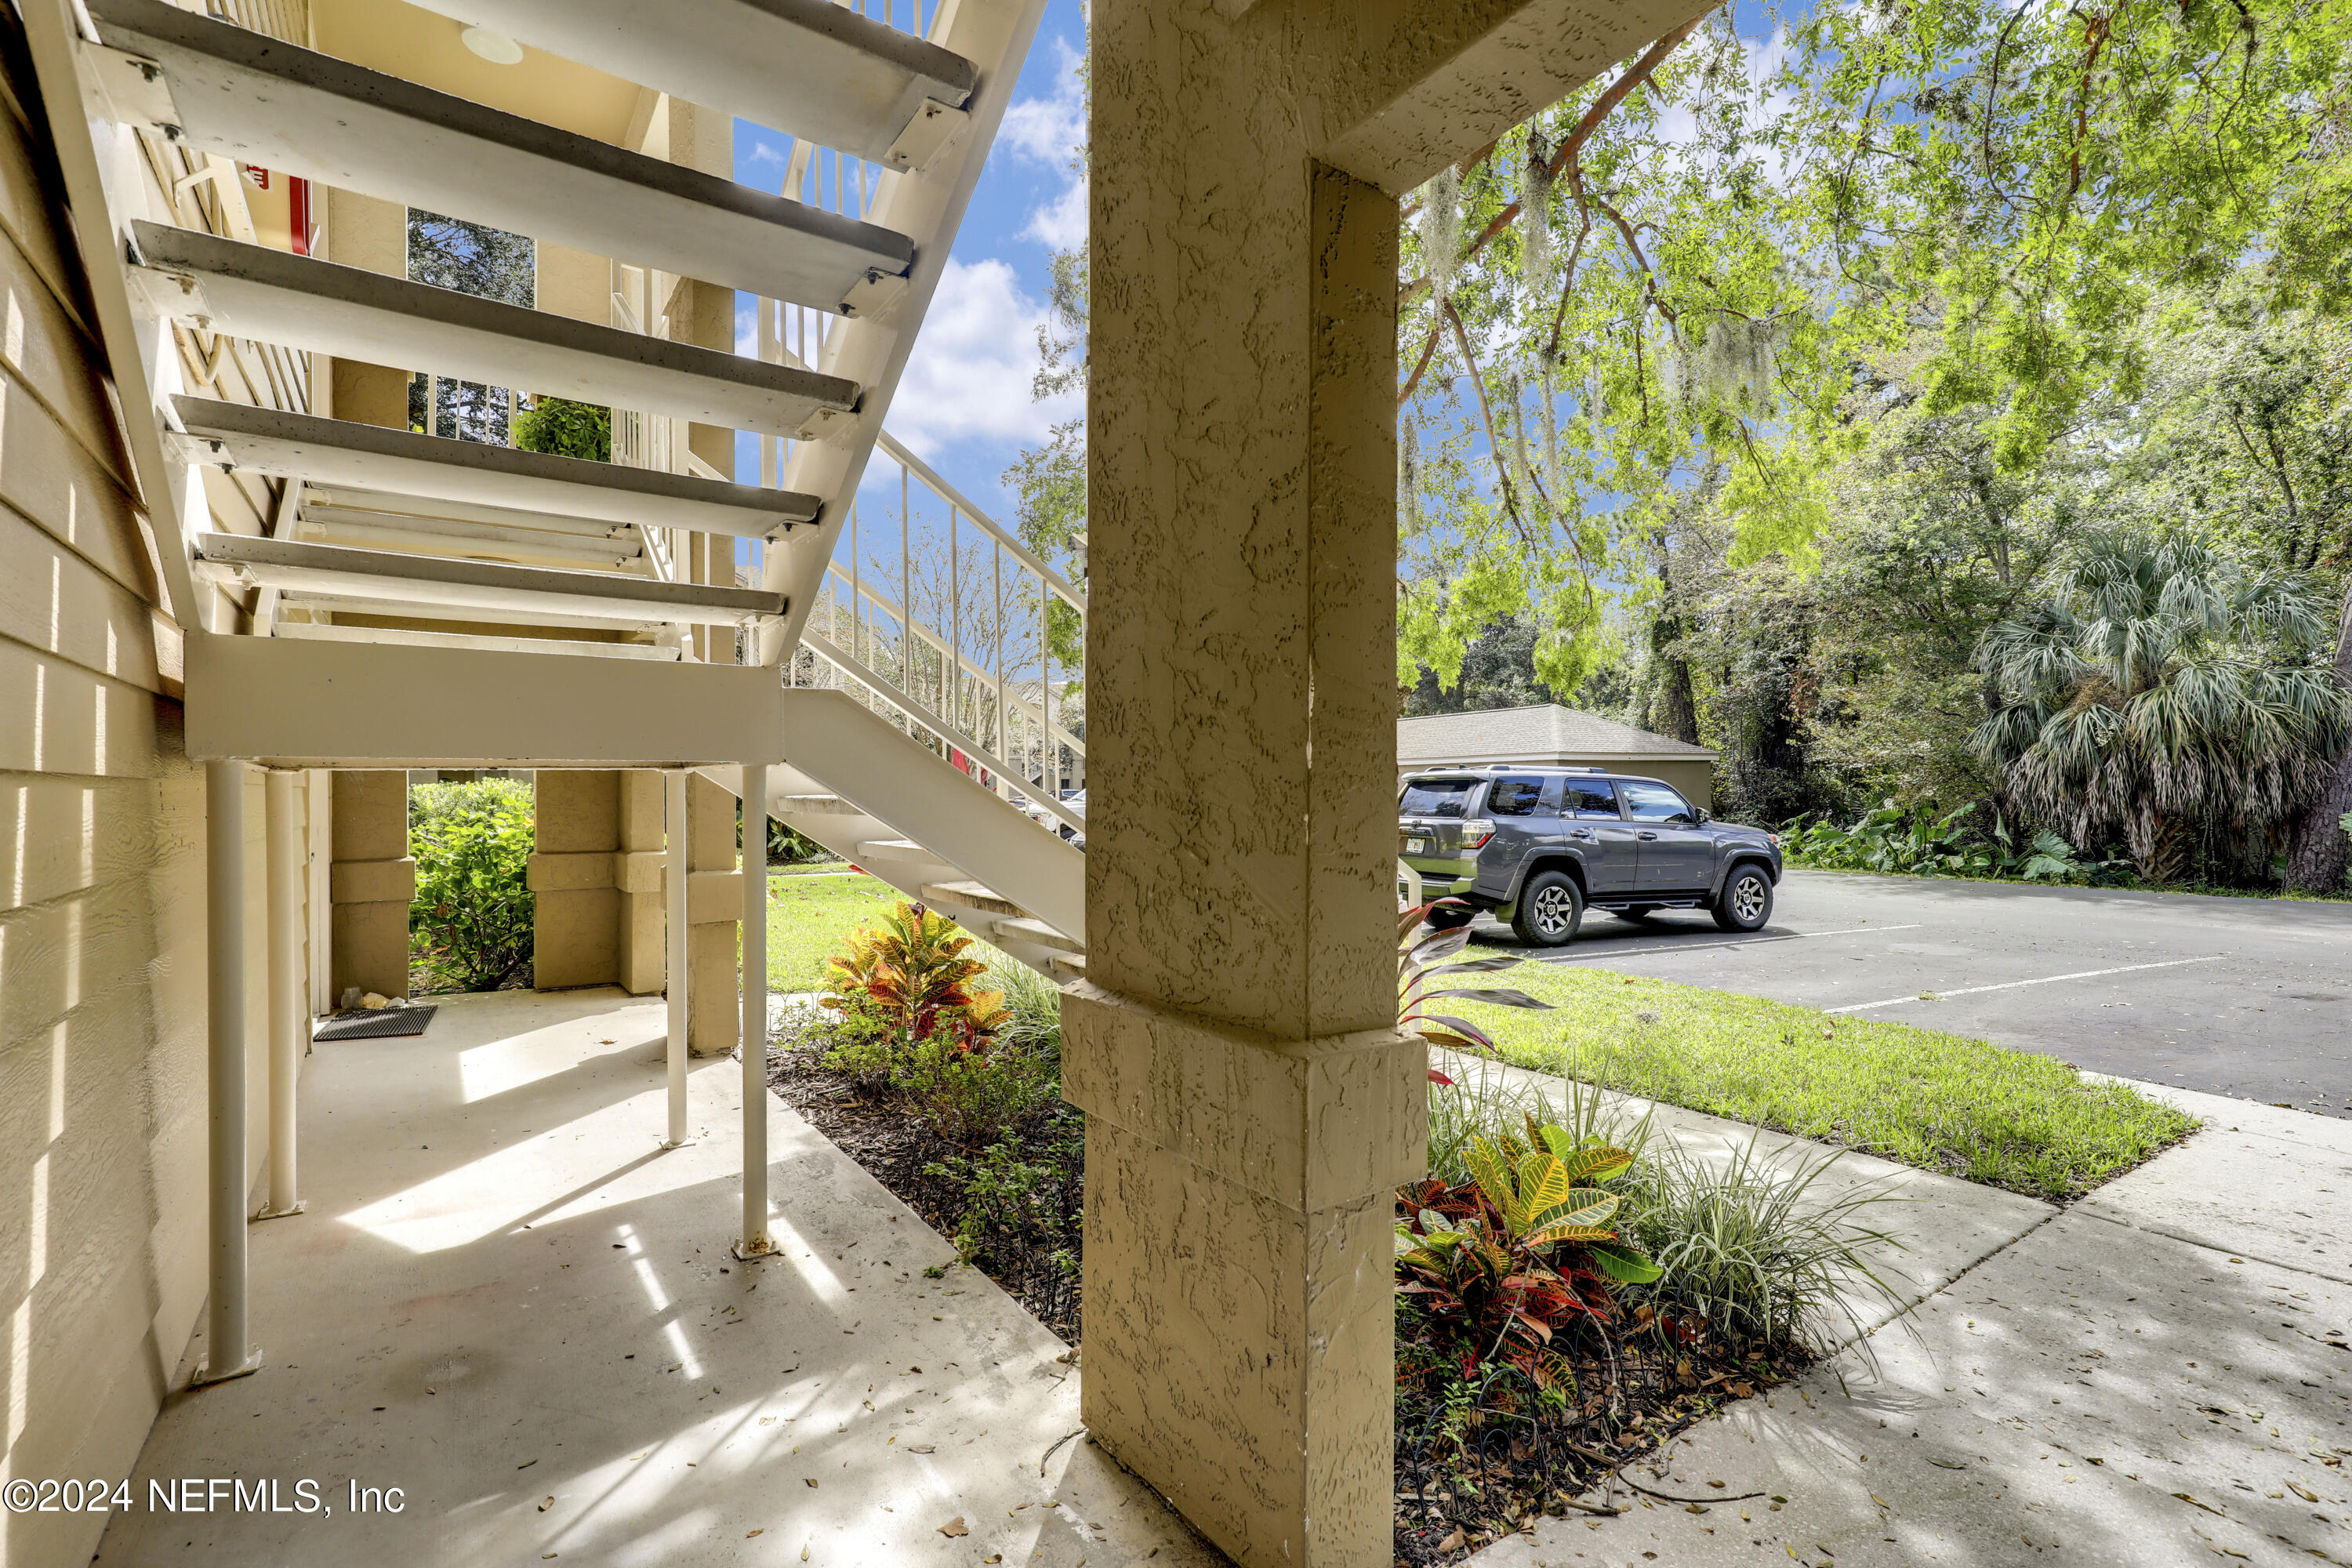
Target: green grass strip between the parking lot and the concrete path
pixel 1918 1097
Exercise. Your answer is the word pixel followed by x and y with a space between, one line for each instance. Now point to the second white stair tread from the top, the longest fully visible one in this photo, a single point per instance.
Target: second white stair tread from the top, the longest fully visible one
pixel 314 116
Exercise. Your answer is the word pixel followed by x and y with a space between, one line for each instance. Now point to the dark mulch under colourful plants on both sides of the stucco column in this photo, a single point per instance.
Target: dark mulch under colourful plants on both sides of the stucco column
pixel 1462 1485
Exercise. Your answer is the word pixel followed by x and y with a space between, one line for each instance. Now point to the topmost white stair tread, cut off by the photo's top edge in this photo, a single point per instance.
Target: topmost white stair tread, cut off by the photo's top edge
pixel 806 67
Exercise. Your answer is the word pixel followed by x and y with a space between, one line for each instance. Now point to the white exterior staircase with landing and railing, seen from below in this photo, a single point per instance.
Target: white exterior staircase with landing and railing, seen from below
pixel 401 598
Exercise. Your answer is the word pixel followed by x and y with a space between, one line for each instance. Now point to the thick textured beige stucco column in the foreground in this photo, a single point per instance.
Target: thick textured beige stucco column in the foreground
pixel 1250 1104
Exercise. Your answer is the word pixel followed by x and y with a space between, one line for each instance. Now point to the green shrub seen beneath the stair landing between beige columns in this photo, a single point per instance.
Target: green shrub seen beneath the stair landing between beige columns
pixel 472 923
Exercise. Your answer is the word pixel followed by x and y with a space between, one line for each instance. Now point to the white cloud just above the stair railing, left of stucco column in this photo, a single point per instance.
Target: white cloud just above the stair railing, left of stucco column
pixel 973 366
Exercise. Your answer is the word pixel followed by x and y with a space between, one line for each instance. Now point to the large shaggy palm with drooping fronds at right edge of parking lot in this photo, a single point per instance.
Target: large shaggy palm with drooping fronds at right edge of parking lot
pixel 2158 688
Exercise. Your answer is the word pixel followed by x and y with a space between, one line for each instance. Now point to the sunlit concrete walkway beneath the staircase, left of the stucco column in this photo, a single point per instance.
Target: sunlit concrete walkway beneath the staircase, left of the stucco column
pixel 519 1311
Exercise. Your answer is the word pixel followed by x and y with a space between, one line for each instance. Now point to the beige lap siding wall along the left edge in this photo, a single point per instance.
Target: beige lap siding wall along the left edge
pixel 102 913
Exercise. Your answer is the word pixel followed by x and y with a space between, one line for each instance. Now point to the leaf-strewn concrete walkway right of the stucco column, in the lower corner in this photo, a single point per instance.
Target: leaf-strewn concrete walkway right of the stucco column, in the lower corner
pixel 2158 1374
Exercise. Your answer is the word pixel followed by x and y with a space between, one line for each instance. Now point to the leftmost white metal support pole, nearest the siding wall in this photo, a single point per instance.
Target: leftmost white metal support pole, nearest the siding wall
pixel 229 1346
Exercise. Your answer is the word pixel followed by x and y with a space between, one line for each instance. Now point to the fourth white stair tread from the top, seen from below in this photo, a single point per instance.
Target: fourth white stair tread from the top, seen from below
pixel 474 474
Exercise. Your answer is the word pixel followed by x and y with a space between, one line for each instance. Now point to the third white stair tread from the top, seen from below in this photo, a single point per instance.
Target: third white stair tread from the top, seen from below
pixel 300 302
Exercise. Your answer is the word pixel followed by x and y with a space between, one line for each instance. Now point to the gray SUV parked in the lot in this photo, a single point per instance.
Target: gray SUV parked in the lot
pixel 1539 847
